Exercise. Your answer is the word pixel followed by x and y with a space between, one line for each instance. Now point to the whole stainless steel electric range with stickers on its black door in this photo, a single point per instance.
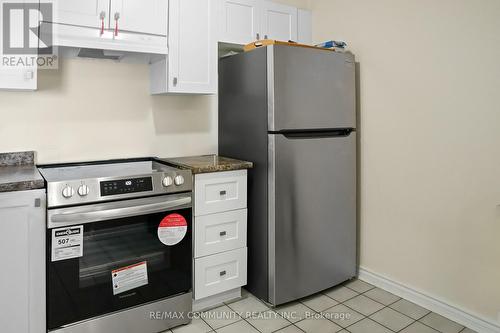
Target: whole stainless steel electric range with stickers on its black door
pixel 119 246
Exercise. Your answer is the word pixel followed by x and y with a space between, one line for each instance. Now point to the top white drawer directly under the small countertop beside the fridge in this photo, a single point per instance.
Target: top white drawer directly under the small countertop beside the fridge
pixel 220 192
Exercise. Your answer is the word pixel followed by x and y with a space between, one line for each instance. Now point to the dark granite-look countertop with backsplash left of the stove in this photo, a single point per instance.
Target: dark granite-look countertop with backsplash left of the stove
pixel 19 173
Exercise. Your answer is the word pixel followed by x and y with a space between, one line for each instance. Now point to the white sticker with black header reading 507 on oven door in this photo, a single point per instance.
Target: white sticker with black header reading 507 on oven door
pixel 67 243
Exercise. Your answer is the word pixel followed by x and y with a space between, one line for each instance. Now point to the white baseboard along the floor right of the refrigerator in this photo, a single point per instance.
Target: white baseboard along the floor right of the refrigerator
pixel 434 304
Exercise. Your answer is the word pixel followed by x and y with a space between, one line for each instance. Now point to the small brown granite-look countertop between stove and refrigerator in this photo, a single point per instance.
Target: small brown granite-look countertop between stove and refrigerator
pixel 208 163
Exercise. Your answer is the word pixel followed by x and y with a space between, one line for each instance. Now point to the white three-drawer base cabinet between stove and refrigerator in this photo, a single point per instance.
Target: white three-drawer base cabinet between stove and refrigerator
pixel 220 237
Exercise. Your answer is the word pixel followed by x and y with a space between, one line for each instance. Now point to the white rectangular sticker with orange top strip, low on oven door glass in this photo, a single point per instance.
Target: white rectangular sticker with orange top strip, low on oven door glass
pixel 129 277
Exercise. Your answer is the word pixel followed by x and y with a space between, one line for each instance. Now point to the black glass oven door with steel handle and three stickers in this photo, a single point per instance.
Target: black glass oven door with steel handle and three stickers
pixel 111 256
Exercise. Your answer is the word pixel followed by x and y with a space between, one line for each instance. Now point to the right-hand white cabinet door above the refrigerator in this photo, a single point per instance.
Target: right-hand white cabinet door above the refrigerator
pixel 280 21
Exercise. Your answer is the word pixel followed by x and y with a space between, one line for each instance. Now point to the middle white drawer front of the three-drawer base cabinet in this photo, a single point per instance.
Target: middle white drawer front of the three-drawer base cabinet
pixel 220 232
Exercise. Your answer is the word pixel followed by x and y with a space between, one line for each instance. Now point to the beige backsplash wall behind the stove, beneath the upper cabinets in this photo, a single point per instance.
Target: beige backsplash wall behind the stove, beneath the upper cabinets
pixel 98 109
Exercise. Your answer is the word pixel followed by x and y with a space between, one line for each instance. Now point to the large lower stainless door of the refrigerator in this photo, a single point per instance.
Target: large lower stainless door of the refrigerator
pixel 312 214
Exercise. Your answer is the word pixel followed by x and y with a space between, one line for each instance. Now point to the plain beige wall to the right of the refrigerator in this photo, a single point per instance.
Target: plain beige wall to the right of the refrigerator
pixel 430 141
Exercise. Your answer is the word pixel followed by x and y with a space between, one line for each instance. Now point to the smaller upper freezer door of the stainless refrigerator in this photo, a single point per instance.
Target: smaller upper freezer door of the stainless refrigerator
pixel 310 89
